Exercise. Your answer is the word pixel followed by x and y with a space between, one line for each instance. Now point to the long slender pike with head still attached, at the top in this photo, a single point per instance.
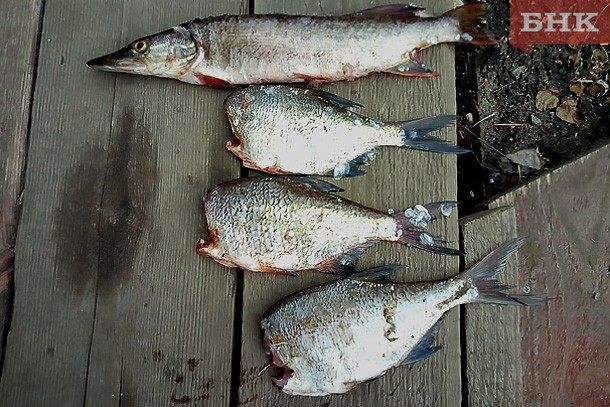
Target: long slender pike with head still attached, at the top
pixel 252 49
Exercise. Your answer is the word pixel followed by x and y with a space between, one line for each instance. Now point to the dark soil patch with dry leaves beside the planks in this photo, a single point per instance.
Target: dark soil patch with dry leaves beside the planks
pixel 497 88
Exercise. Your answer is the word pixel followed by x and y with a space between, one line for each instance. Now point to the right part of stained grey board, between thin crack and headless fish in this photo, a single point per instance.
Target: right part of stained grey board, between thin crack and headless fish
pixel 166 151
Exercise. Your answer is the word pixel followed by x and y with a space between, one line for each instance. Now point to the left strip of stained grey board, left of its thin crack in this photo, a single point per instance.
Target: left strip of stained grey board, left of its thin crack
pixel 56 248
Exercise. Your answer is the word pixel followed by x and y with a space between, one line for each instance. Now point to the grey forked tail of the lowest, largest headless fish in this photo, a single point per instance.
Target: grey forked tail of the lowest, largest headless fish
pixel 489 290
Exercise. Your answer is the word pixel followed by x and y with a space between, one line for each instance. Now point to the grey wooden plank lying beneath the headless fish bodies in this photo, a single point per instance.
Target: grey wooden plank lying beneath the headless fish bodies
pixel 397 179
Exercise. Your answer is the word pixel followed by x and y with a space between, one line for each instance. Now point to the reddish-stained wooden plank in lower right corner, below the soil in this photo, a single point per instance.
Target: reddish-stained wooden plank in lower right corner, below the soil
pixel 565 346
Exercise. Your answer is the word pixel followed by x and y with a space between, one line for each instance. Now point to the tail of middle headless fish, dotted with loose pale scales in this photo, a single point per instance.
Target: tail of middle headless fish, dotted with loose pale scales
pixel 411 224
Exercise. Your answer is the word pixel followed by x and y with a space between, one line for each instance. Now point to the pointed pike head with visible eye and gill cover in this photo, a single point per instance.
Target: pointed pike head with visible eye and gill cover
pixel 168 54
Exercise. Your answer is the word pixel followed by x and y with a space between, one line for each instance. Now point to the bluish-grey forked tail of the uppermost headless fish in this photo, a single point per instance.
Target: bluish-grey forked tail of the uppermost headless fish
pixel 415 135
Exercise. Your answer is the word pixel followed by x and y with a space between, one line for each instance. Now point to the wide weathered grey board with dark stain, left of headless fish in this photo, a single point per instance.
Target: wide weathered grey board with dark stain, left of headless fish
pixel 112 305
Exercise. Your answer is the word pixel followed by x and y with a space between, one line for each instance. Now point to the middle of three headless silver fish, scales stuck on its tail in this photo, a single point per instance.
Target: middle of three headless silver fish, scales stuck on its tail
pixel 285 224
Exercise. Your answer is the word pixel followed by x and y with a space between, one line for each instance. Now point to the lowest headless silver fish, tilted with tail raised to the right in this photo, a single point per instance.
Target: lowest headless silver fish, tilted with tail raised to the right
pixel 329 338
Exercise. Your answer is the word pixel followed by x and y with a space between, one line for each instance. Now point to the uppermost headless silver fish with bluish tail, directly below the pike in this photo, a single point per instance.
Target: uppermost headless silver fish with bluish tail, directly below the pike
pixel 286 130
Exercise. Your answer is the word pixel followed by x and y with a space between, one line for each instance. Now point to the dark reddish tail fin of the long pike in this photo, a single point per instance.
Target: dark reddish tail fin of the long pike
pixel 470 18
